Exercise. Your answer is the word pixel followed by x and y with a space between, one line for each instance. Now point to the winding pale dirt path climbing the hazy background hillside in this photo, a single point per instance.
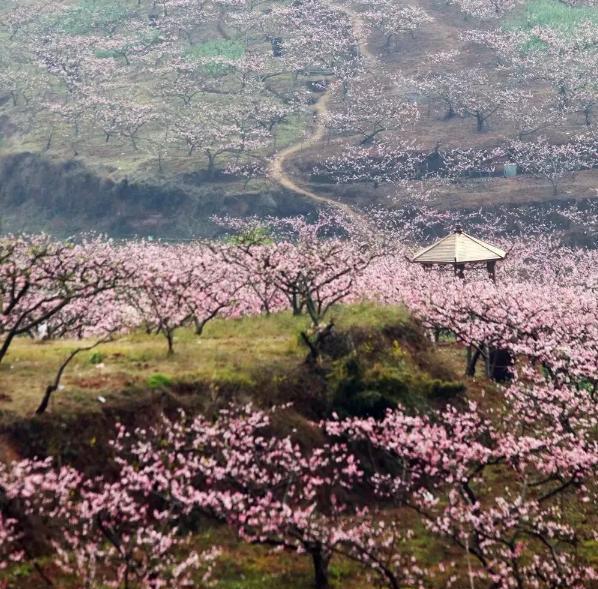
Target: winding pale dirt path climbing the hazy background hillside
pixel 276 170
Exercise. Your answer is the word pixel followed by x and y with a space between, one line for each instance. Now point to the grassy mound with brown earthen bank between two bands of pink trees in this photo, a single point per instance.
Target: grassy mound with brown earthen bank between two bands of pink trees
pixel 384 358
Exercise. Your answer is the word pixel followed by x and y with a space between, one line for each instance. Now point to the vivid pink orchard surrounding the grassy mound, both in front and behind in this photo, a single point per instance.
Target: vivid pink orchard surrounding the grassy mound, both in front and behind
pixel 497 484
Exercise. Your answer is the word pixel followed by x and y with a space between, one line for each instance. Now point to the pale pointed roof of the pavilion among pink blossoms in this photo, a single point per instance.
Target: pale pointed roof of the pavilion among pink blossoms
pixel 459 247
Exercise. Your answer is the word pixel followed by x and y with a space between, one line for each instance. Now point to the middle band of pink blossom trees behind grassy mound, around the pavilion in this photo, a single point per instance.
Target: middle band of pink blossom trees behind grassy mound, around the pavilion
pixel 543 306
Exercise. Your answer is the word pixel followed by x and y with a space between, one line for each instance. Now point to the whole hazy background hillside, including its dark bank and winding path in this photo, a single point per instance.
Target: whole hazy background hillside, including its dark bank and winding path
pixel 139 155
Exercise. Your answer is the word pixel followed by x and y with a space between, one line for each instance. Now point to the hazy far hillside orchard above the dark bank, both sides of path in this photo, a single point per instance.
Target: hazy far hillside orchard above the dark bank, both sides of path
pixel 223 85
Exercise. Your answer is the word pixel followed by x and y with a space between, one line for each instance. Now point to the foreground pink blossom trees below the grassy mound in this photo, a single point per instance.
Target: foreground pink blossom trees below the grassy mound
pixel 500 499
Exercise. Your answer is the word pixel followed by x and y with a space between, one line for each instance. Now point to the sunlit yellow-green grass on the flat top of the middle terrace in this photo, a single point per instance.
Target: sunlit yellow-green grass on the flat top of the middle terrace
pixel 231 352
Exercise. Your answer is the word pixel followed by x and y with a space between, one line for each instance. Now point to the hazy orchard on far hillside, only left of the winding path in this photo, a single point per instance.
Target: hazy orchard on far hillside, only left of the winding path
pixel 213 72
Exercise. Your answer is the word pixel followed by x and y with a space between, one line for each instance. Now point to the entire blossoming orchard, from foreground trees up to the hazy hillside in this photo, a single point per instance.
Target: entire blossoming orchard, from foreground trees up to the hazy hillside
pixel 507 488
